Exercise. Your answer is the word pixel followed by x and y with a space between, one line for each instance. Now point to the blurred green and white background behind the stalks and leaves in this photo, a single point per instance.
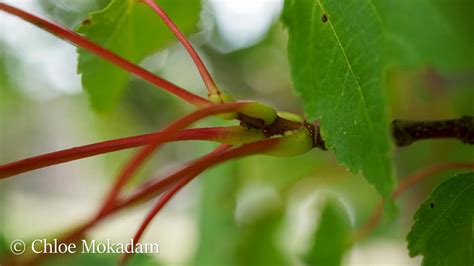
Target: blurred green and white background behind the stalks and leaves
pixel 253 211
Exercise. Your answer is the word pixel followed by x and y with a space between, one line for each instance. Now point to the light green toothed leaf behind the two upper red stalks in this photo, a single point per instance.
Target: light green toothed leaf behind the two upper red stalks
pixel 132 30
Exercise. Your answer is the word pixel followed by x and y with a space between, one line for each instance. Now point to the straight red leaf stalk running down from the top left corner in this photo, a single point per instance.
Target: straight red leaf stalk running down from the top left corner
pixel 109 56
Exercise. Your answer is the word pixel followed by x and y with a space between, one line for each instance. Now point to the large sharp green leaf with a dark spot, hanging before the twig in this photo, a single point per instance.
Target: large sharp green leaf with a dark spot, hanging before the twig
pixel 335 50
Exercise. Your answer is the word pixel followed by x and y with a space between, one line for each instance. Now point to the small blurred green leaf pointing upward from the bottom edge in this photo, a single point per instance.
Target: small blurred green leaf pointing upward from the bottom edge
pixel 331 240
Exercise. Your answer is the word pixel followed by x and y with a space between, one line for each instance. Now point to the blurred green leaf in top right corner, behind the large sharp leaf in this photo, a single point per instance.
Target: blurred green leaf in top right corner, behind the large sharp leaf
pixel 441 36
